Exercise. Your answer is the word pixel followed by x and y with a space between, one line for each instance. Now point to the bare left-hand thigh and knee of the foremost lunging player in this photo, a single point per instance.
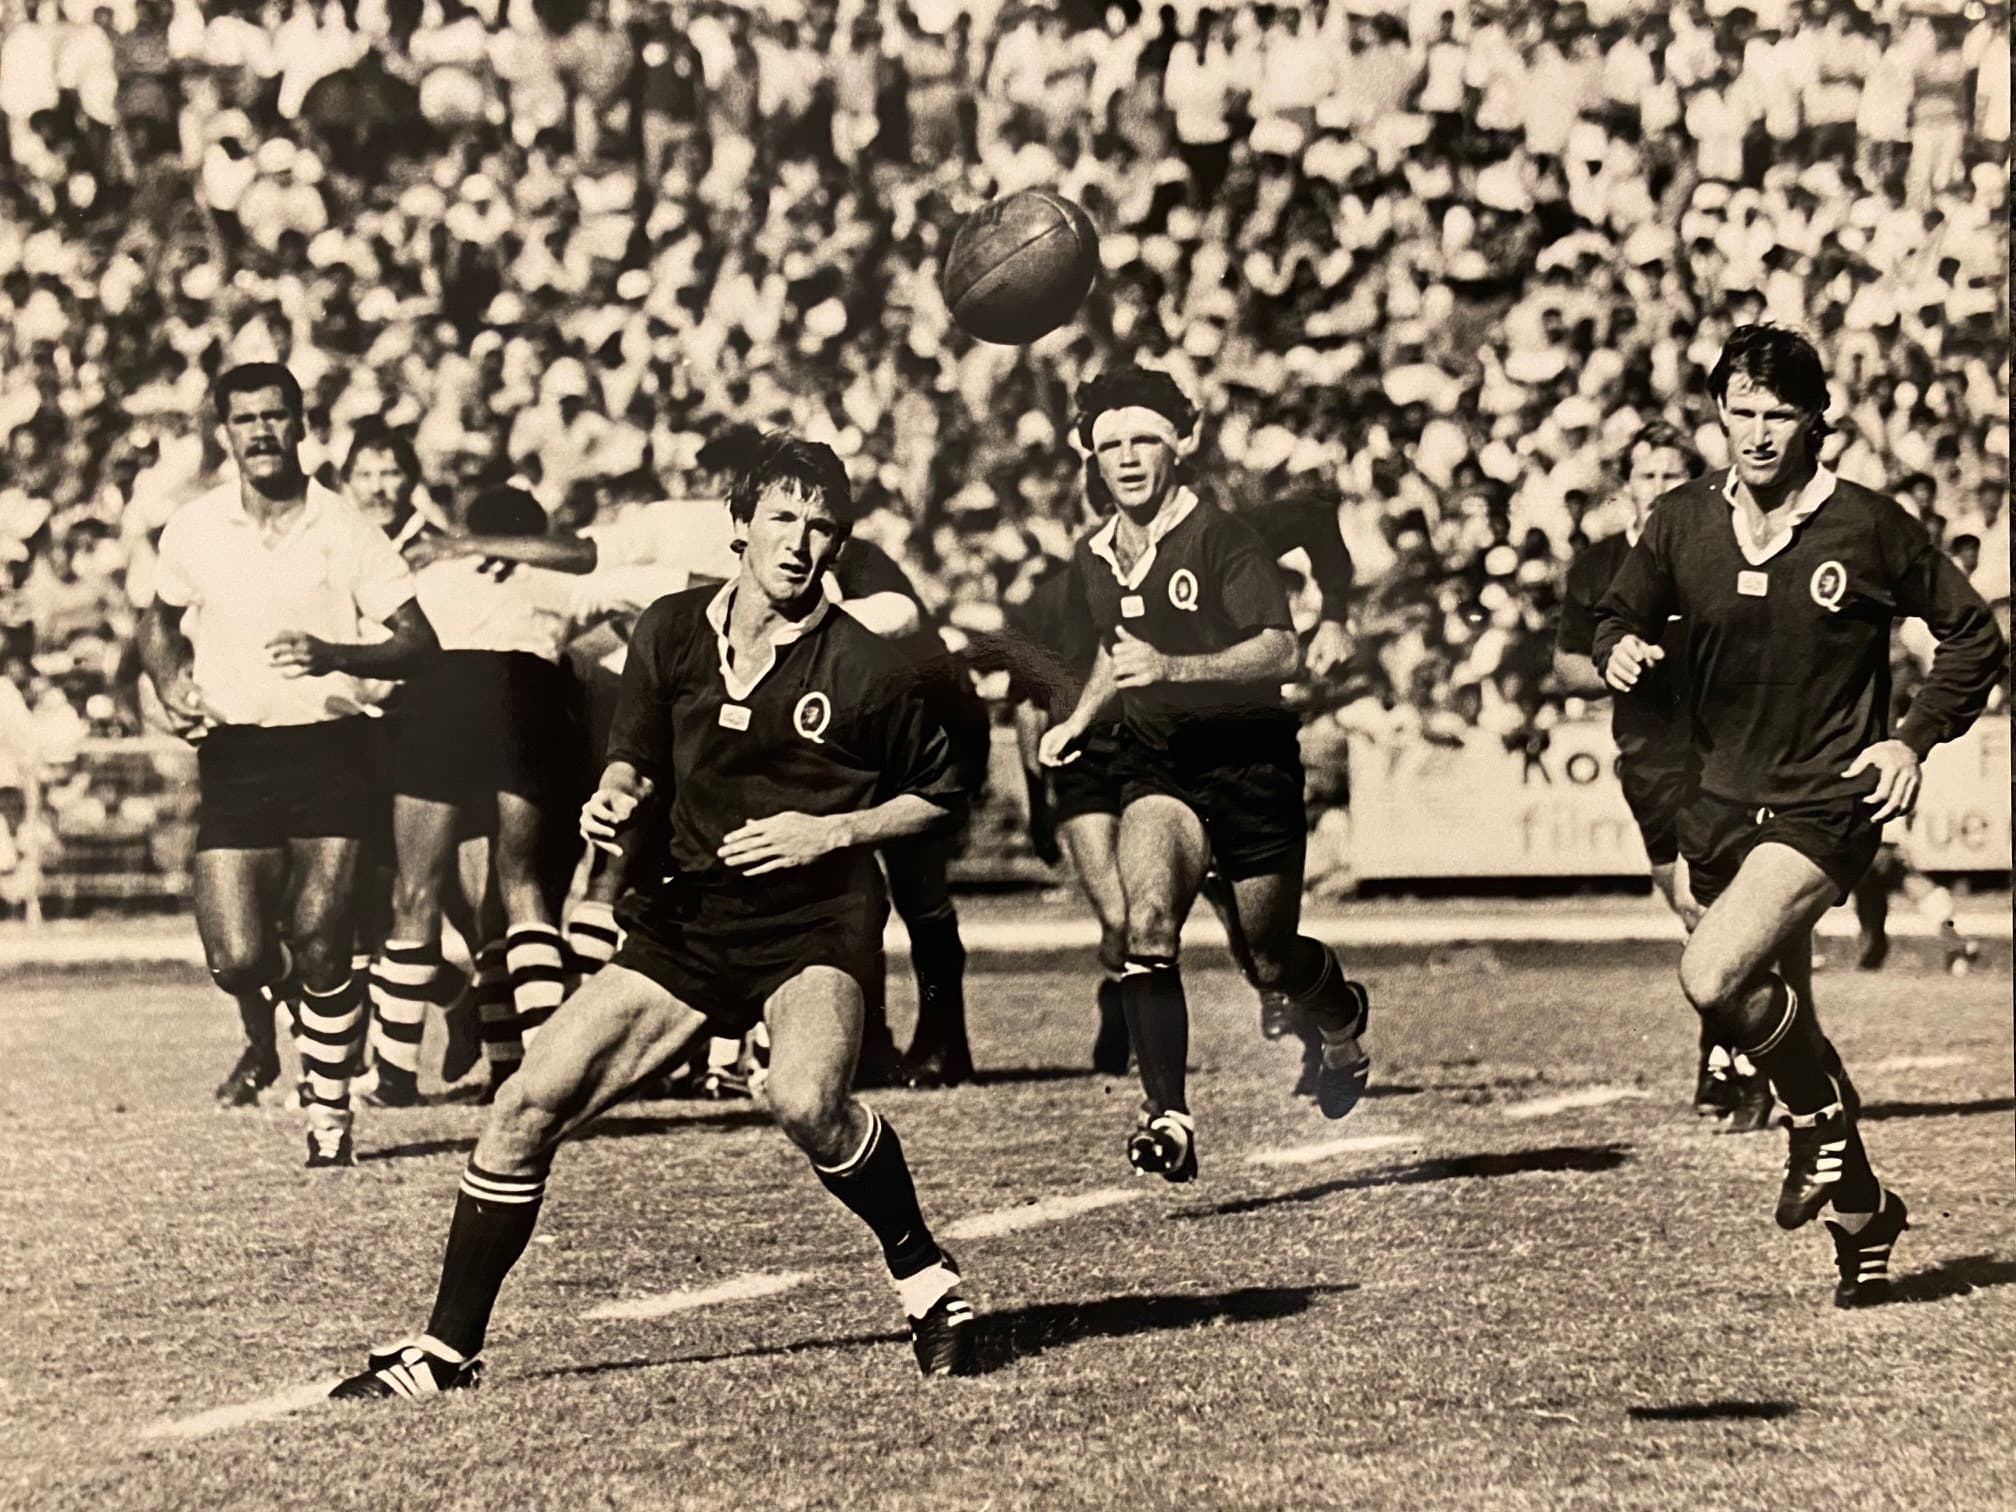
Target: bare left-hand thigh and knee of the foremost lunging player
pixel 598 1045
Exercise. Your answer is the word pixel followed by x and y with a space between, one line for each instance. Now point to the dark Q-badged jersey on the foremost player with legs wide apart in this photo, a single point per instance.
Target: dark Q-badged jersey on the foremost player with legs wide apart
pixel 830 729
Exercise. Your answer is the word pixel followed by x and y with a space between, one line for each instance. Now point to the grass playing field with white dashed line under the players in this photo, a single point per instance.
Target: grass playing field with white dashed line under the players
pixel 1519 1277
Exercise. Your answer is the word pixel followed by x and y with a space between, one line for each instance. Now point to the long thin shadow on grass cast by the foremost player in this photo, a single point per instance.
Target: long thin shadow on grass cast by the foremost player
pixel 1025 1332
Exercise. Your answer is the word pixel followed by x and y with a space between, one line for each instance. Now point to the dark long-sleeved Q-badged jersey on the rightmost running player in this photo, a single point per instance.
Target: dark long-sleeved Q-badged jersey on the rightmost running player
pixel 1789 646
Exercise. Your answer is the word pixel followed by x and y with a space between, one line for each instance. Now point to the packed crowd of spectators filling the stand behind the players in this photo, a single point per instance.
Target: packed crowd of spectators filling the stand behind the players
pixel 1432 259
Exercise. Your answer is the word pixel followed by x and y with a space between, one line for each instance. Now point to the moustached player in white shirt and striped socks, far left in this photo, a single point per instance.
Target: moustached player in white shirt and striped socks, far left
pixel 255 644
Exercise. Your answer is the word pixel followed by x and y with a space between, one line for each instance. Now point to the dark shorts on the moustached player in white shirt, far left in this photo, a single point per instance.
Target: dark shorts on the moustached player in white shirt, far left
pixel 267 785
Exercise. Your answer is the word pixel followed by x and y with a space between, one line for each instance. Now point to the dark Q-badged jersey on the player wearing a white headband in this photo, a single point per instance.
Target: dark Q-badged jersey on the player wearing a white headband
pixel 1207 584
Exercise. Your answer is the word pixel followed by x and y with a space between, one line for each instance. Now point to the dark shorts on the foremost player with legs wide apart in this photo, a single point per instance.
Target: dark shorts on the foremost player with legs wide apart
pixel 727 951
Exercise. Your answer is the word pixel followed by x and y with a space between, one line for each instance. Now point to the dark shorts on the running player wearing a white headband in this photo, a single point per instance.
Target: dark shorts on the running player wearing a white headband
pixel 1245 783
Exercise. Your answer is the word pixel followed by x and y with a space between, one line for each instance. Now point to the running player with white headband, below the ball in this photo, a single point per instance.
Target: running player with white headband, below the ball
pixel 1194 644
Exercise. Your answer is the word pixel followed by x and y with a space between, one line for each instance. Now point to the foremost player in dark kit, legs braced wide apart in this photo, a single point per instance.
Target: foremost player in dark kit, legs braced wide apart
pixel 771 743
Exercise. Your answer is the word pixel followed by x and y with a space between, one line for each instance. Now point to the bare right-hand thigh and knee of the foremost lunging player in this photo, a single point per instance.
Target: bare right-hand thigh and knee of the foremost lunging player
pixel 815 1035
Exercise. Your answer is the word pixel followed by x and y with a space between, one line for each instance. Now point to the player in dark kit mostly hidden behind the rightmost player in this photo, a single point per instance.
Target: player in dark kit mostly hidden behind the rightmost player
pixel 1654 745
